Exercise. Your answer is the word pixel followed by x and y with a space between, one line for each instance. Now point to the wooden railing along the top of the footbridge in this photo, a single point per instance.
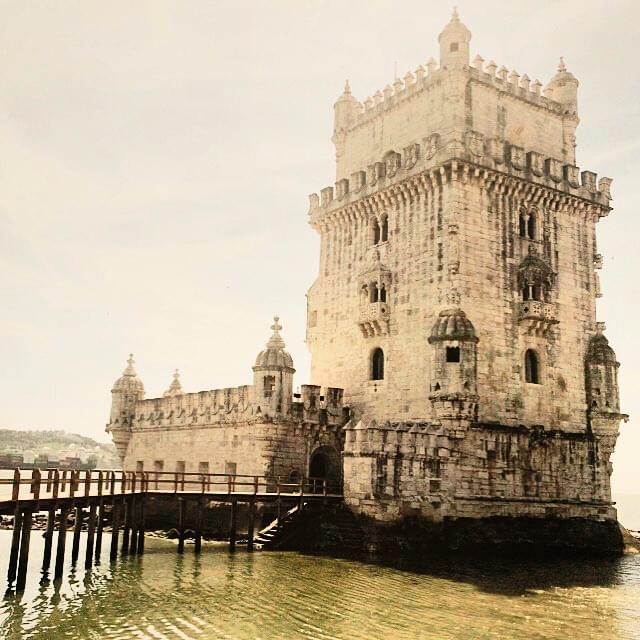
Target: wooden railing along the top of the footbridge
pixel 68 483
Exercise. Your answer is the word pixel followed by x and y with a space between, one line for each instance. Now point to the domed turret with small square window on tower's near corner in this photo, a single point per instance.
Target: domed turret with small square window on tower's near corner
pixel 453 366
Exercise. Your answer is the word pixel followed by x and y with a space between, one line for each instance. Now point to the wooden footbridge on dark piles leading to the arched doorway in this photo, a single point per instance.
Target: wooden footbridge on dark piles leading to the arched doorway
pixel 125 494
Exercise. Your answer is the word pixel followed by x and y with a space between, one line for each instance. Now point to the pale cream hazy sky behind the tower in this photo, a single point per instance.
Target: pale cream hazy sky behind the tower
pixel 155 162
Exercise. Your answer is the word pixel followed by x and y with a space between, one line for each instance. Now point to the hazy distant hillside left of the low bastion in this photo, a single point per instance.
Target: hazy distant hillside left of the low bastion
pixel 57 445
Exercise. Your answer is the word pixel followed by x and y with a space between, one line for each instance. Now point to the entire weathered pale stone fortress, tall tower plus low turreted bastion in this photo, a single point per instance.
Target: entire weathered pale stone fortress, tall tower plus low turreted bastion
pixel 454 313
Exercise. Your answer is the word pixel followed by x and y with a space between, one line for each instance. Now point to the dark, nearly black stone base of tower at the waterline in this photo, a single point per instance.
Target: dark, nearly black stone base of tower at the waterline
pixel 417 540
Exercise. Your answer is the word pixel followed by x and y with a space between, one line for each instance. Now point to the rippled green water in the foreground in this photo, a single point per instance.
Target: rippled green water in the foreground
pixel 265 595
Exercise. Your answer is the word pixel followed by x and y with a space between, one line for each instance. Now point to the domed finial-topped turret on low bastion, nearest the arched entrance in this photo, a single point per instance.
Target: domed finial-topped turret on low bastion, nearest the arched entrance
pixel 273 375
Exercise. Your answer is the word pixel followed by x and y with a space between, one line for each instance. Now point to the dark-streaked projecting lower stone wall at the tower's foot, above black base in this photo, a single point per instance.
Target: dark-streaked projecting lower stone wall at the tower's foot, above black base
pixel 458 470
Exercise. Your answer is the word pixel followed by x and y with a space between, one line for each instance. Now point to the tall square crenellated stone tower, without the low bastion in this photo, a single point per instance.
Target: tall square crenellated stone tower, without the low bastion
pixel 458 282
